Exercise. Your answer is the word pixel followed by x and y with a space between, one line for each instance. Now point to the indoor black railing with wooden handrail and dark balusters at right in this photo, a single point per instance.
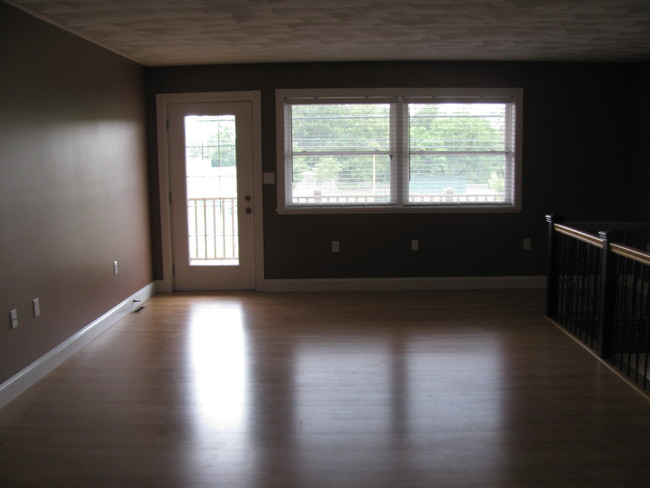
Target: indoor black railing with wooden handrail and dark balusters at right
pixel 599 291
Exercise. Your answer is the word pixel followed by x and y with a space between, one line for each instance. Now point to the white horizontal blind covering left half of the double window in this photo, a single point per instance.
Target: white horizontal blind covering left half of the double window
pixel 340 154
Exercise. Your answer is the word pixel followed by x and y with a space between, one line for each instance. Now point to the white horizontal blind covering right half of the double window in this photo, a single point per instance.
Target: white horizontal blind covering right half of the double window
pixel 460 153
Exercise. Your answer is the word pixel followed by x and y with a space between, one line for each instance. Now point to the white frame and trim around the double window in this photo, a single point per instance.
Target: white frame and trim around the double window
pixel 413 95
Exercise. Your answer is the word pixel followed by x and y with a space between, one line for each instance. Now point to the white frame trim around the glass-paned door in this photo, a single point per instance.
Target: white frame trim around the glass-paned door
pixel 163 101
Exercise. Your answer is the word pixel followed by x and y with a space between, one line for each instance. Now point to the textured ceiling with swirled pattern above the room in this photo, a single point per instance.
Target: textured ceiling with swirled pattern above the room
pixel 182 32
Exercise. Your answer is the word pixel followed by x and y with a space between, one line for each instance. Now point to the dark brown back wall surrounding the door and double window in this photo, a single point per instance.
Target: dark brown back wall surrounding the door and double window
pixel 577 160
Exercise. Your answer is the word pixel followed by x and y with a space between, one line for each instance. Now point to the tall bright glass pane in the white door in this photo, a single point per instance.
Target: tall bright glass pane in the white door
pixel 211 179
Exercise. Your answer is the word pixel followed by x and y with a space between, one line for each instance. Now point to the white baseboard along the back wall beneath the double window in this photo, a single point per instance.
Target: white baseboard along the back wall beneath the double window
pixel 397 284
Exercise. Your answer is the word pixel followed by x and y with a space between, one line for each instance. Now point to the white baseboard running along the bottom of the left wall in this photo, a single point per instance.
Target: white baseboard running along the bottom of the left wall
pixel 29 376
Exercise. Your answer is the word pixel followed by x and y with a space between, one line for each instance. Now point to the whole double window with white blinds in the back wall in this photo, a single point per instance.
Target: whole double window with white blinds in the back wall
pixel 379 150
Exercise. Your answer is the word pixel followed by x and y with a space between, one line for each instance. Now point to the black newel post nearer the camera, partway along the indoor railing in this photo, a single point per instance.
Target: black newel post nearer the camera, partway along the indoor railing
pixel 606 297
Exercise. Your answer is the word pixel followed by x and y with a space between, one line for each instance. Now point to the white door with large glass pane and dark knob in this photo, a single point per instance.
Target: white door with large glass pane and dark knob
pixel 211 183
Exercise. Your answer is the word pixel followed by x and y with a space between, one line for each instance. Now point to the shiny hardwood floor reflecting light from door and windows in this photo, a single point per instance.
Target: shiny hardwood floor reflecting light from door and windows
pixel 412 389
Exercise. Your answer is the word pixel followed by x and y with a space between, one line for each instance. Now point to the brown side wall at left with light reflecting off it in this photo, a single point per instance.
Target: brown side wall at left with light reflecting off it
pixel 73 185
